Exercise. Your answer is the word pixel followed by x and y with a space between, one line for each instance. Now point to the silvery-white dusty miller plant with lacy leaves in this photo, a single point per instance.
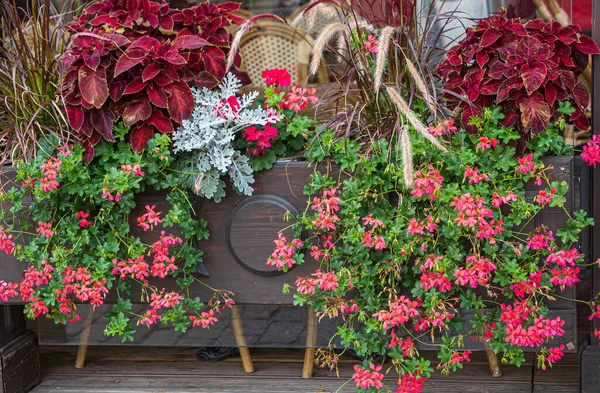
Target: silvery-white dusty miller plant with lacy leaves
pixel 209 136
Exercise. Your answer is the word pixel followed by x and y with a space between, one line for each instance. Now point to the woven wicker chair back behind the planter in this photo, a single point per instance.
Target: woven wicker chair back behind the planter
pixel 276 45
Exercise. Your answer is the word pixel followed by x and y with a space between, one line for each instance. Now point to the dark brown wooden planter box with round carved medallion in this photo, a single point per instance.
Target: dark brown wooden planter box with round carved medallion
pixel 242 230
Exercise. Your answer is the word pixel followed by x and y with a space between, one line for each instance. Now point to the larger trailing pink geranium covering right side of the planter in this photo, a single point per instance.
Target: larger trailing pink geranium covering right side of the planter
pixel 400 265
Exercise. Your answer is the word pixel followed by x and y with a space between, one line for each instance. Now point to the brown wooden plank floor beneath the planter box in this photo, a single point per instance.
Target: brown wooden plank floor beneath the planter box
pixel 151 369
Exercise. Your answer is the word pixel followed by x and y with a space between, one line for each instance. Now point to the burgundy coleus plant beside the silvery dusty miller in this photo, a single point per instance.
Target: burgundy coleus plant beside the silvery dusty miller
pixel 136 60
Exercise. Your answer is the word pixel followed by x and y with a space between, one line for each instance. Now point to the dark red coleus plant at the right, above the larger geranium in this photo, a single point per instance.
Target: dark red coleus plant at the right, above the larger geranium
pixel 526 69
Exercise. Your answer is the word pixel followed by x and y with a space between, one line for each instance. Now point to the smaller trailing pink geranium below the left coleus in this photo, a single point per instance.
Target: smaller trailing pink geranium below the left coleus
pixel 69 223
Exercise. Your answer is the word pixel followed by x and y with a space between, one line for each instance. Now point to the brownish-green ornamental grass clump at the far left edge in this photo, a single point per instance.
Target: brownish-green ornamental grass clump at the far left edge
pixel 32 40
